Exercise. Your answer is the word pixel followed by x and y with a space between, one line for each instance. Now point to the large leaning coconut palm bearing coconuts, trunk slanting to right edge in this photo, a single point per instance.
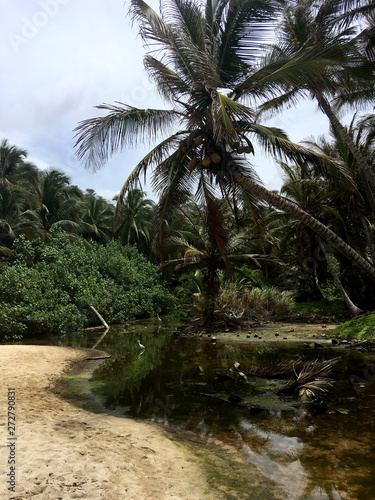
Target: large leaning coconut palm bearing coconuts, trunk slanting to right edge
pixel 202 58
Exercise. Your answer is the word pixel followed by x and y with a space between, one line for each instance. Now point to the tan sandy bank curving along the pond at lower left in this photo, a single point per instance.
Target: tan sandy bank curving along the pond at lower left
pixel 63 452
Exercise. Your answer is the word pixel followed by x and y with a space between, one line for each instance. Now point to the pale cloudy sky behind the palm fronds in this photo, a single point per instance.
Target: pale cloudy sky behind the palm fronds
pixel 61 58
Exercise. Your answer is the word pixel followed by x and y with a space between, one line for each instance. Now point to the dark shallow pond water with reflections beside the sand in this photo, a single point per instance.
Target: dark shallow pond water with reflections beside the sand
pixel 181 382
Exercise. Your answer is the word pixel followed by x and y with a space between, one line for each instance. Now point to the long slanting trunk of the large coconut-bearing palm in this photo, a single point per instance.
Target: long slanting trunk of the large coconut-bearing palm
pixel 297 212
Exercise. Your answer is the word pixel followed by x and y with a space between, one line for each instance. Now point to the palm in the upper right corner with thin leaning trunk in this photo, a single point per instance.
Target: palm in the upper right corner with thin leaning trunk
pixel 326 26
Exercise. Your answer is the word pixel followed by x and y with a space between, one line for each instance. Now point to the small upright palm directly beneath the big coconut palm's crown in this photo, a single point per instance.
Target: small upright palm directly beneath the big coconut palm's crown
pixel 191 248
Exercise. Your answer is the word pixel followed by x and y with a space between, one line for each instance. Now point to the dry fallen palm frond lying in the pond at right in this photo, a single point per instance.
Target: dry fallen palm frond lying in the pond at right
pixel 313 376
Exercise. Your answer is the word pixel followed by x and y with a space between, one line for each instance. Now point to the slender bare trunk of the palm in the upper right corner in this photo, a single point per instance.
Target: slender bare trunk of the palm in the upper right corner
pixel 365 171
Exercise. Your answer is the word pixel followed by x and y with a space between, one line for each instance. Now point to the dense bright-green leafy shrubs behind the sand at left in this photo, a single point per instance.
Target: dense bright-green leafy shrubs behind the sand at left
pixel 47 289
